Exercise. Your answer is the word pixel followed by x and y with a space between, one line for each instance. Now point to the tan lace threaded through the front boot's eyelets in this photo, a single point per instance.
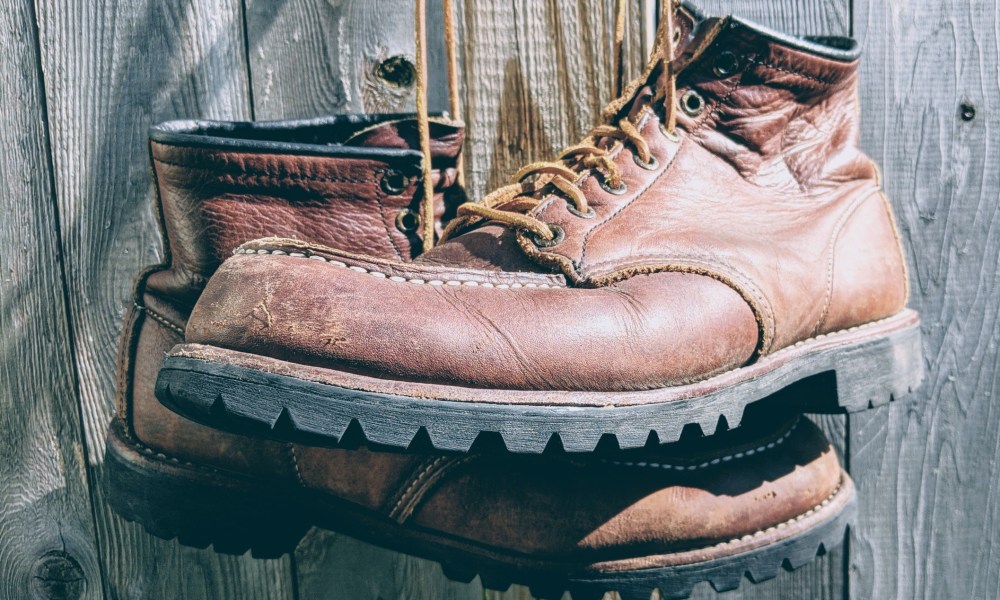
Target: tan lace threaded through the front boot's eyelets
pixel 511 204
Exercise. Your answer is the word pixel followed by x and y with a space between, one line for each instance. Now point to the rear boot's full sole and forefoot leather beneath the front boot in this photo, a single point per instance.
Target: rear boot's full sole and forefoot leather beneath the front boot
pixel 750 501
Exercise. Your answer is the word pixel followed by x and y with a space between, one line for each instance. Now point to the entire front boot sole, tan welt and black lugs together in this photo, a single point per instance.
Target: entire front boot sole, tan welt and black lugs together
pixel 254 395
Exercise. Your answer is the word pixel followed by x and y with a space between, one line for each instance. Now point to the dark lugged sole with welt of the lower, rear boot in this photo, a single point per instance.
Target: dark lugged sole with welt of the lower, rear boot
pixel 204 507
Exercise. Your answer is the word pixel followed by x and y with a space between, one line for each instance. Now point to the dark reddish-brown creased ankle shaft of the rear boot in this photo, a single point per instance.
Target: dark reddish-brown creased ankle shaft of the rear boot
pixel 215 197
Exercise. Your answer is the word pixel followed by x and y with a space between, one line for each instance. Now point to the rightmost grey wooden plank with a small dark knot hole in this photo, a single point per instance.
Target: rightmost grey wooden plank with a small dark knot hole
pixel 926 468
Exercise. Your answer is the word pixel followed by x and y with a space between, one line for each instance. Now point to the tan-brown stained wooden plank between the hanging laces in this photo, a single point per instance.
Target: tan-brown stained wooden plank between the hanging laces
pixel 536 77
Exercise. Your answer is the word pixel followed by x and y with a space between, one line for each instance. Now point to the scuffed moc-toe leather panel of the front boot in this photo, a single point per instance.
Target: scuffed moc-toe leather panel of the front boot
pixel 515 338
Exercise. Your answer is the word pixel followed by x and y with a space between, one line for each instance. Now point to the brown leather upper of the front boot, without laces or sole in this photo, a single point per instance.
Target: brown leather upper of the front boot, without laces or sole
pixel 762 226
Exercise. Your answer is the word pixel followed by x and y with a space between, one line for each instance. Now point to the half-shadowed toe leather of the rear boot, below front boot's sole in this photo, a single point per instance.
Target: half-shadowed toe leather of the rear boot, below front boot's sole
pixel 549 508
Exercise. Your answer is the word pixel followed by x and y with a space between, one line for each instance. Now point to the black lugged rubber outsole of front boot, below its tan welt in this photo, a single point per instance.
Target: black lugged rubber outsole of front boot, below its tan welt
pixel 249 401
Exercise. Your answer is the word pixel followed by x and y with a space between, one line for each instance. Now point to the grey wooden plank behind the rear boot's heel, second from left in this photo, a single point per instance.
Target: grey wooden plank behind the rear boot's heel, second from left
pixel 112 69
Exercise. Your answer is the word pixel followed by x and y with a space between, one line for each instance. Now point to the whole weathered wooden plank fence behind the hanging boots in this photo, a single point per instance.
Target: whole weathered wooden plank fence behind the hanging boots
pixel 81 80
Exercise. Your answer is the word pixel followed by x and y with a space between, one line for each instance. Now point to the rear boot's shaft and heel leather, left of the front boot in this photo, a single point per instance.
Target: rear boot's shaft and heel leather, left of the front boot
pixel 350 181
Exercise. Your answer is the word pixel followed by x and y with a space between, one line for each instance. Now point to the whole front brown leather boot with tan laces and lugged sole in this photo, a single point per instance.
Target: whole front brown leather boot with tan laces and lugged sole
pixel 722 237
